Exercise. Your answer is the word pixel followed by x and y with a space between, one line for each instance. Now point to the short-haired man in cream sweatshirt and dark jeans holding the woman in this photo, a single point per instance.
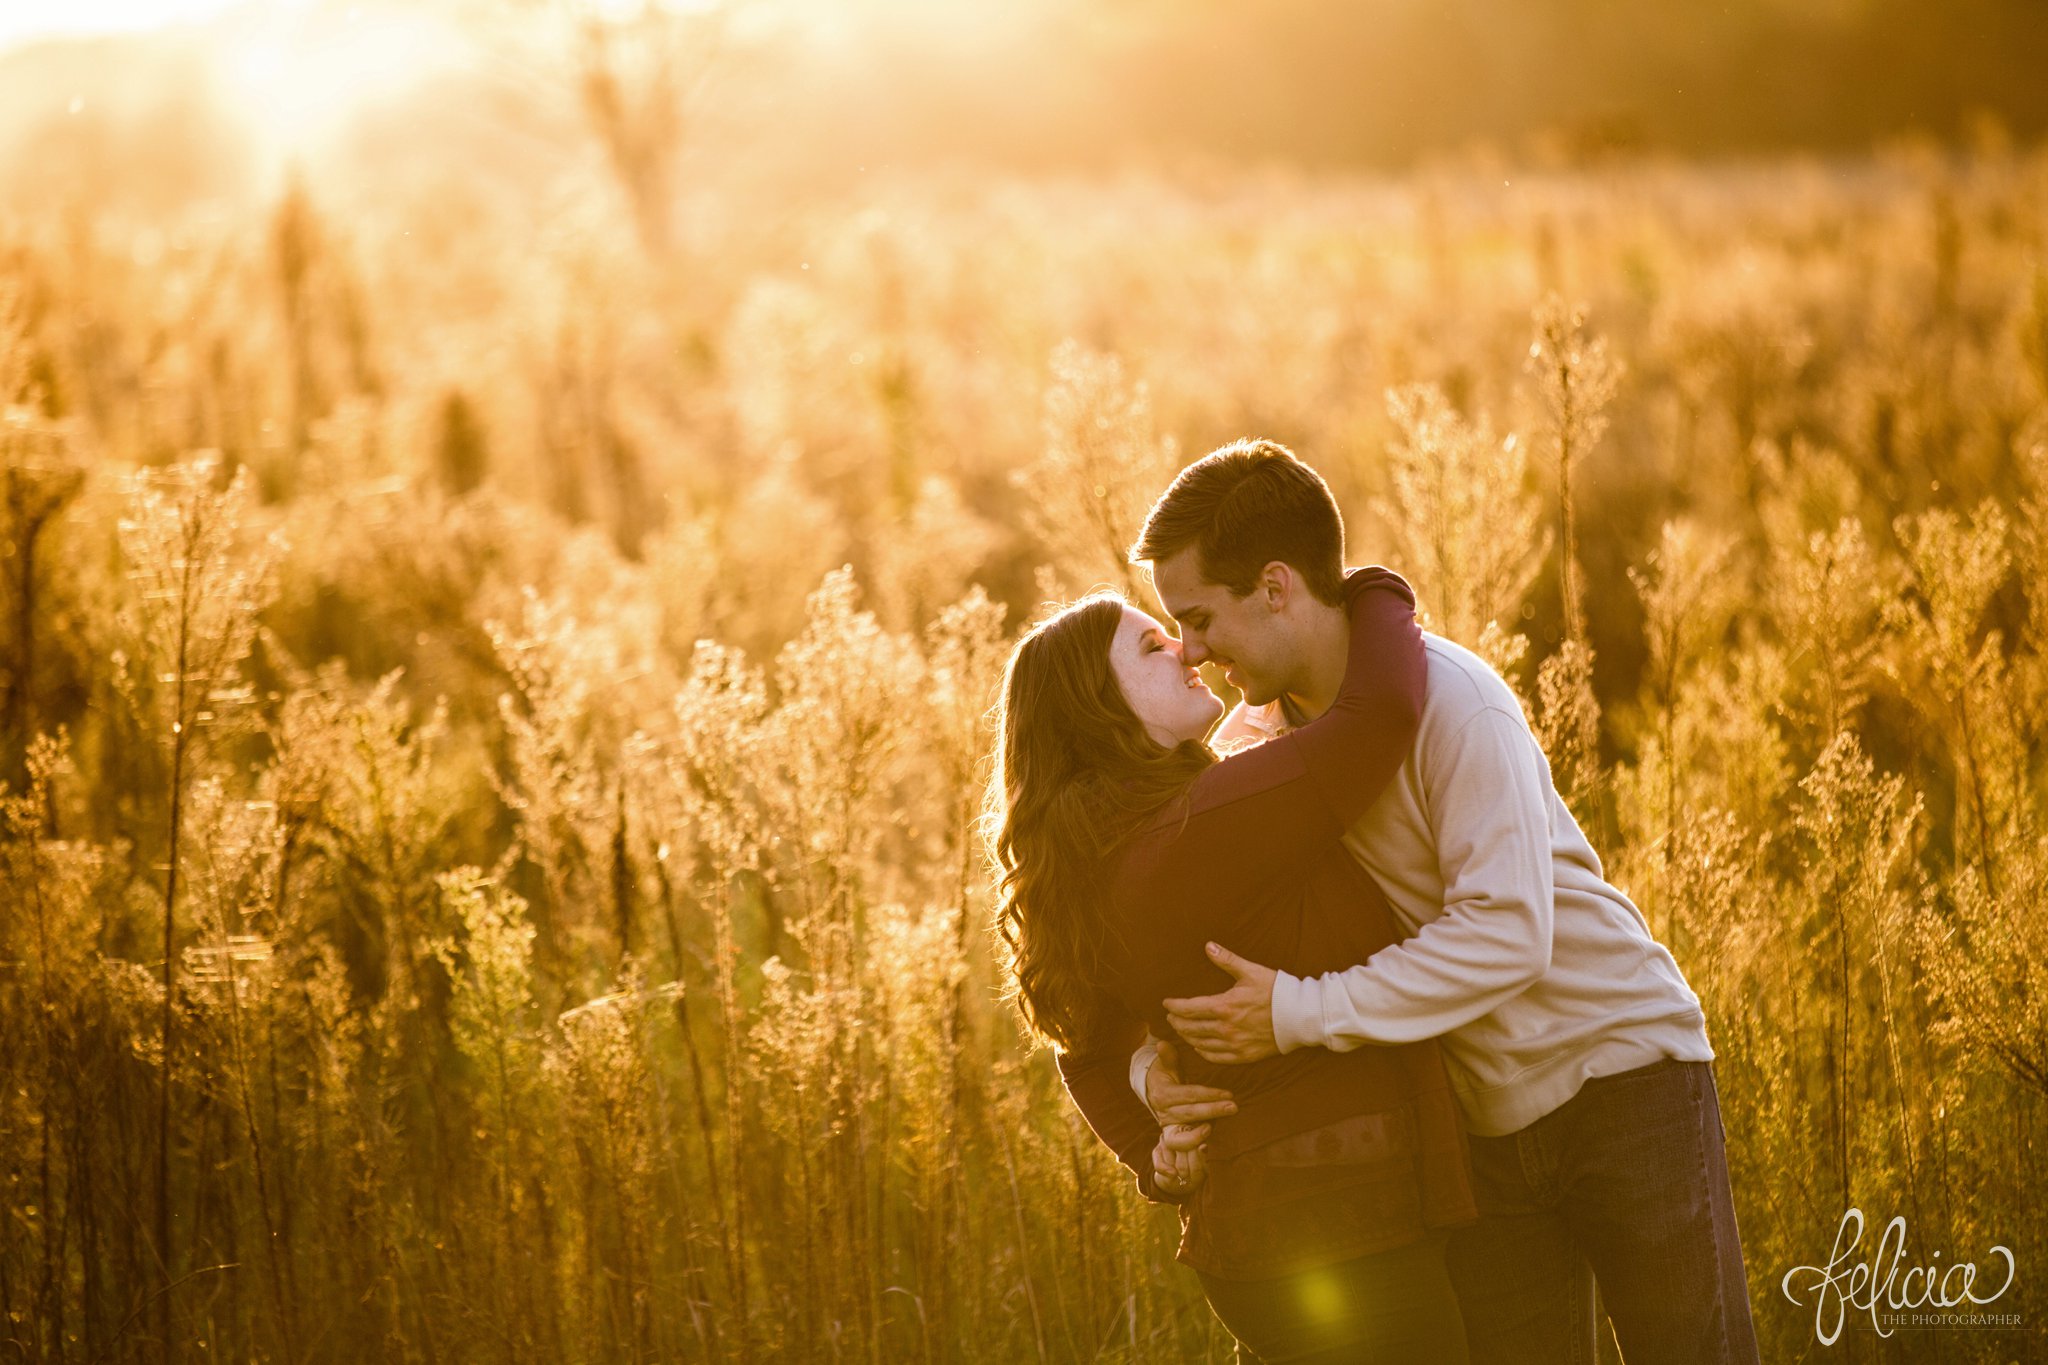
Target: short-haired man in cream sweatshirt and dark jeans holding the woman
pixel 1578 1049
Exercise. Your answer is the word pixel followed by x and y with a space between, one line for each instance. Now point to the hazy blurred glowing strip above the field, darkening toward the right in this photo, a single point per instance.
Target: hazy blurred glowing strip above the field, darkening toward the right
pixel 843 93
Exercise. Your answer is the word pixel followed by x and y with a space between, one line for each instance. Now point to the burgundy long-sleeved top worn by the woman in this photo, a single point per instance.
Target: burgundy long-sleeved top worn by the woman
pixel 1330 1155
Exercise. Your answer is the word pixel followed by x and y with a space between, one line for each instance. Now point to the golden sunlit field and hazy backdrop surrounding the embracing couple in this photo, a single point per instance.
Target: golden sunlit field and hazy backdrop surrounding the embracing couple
pixel 513 515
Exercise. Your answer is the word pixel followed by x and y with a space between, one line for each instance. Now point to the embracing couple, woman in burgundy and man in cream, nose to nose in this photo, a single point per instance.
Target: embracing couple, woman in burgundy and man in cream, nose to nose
pixel 1342 979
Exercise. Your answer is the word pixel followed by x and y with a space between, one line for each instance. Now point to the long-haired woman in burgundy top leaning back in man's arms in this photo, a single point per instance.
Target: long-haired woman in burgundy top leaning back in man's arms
pixel 1318 1213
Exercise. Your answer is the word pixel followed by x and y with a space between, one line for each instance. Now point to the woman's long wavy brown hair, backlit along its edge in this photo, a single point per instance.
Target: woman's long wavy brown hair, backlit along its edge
pixel 1076 777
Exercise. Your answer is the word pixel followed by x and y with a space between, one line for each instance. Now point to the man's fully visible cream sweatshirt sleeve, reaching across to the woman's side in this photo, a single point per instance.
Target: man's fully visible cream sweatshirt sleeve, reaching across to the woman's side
pixel 1490 793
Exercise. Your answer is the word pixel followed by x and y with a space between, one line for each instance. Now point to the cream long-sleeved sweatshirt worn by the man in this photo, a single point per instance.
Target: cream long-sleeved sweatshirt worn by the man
pixel 1523 959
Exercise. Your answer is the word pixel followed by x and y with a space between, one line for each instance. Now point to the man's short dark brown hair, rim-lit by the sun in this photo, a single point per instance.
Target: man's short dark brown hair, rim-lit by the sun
pixel 1242 509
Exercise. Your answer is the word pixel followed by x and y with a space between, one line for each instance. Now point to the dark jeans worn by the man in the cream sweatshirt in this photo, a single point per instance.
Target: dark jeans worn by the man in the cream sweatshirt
pixel 1625 1184
